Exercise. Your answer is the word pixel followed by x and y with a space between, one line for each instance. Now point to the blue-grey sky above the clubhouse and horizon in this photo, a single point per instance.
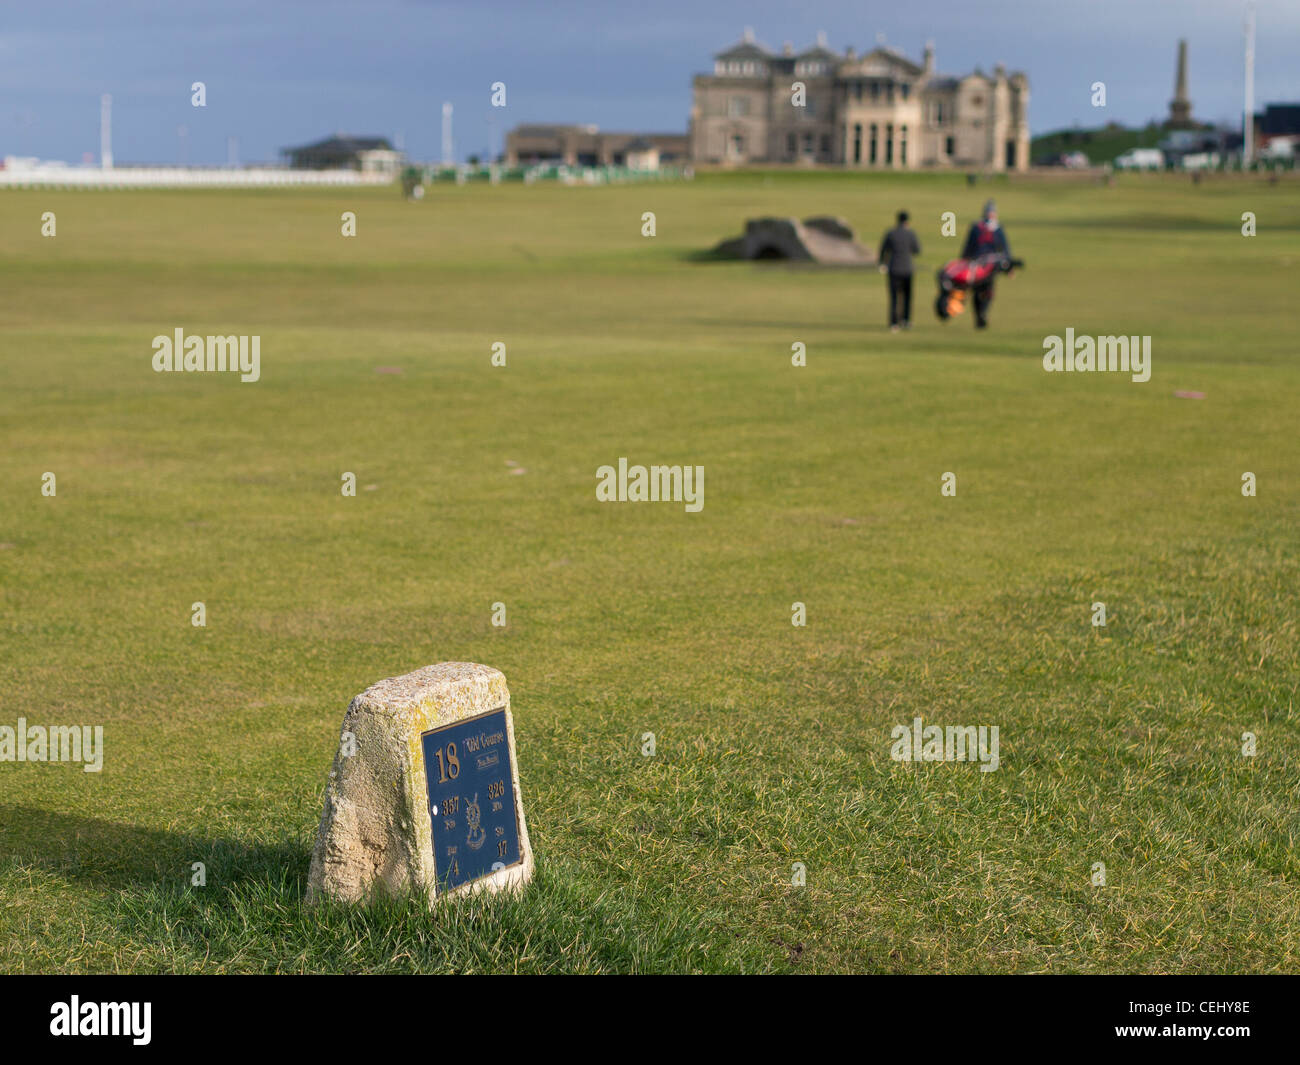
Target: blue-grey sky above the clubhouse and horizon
pixel 285 72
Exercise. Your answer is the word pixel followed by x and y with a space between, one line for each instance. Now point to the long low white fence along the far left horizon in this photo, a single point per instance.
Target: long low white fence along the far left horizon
pixel 179 177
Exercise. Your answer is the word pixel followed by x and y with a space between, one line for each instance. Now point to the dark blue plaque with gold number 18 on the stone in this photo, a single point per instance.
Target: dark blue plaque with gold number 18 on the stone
pixel 471 799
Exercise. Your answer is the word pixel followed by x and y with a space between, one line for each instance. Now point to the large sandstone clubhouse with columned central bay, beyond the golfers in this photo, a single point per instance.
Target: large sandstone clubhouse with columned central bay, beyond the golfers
pixel 879 111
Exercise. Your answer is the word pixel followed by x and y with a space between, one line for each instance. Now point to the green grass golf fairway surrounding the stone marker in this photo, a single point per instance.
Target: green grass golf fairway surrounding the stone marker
pixel 478 486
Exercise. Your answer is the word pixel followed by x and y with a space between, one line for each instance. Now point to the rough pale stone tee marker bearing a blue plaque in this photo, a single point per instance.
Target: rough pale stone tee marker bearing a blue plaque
pixel 428 800
